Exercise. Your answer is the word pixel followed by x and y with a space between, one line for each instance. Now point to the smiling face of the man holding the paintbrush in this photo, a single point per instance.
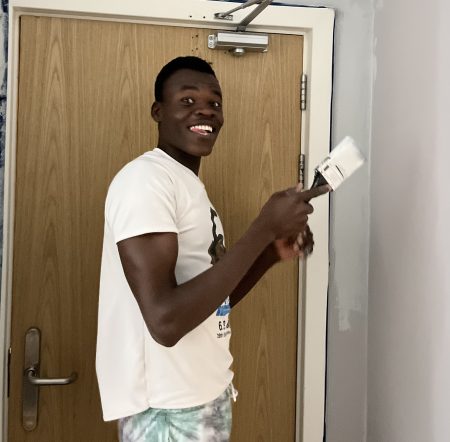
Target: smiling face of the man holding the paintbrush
pixel 190 114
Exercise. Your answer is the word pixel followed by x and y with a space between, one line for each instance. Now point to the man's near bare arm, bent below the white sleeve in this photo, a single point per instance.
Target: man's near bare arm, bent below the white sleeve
pixel 171 310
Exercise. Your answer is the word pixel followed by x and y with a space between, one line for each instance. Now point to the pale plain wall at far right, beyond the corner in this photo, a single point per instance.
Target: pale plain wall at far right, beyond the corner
pixel 409 284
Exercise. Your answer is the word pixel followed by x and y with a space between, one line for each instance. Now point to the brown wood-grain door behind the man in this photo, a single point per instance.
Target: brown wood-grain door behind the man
pixel 84 111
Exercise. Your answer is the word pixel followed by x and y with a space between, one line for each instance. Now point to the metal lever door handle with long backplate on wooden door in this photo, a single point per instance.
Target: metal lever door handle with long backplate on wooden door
pixel 32 380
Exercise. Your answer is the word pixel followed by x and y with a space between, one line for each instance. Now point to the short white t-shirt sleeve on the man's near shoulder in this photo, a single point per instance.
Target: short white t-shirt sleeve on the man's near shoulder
pixel 141 200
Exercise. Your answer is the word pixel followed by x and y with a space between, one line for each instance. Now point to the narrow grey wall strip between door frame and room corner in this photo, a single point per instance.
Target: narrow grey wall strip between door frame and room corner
pixel 349 224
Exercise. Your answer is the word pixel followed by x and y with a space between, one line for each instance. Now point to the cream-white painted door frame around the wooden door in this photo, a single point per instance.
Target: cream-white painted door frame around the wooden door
pixel 317 27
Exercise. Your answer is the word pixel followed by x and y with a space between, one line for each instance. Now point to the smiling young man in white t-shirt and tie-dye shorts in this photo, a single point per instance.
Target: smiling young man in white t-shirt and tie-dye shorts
pixel 167 284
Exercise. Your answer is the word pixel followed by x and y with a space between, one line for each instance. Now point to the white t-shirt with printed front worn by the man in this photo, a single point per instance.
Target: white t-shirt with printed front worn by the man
pixel 155 193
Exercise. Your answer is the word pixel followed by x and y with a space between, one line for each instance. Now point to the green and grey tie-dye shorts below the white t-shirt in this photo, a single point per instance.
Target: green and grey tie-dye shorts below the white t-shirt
pixel 210 422
